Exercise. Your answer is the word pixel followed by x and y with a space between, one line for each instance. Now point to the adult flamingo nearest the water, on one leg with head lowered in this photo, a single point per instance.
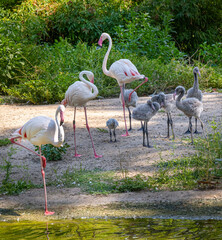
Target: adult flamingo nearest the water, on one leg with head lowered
pixel 39 131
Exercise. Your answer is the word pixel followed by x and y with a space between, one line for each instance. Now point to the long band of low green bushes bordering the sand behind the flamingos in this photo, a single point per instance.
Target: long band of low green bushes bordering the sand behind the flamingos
pixel 61 64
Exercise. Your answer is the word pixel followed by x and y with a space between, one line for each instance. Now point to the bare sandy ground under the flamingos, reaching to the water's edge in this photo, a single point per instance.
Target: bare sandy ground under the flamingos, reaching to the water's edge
pixel 126 155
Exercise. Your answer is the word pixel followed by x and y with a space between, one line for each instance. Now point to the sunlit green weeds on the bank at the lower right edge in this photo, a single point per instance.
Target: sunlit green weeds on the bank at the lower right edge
pixel 184 173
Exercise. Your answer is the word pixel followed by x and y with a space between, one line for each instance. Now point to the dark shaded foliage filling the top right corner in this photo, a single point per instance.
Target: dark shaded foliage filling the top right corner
pixel 194 22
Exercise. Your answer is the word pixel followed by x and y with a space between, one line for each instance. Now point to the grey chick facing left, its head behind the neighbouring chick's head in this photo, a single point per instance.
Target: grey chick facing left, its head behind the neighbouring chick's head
pixel 168 104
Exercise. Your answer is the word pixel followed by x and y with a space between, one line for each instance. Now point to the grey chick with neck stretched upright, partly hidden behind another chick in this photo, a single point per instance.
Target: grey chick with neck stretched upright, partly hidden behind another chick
pixel 195 92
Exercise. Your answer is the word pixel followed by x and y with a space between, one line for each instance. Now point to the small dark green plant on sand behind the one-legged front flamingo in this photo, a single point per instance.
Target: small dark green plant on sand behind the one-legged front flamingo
pixel 52 153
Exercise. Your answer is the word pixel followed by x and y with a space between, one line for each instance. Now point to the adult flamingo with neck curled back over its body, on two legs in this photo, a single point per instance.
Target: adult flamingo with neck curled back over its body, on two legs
pixel 77 95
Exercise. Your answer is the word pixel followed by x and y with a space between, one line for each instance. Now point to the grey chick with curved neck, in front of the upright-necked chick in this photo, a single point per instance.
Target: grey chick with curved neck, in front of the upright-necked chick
pixel 191 107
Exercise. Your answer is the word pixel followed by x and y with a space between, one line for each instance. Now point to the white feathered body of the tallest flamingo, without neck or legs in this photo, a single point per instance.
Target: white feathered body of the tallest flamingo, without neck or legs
pixel 124 71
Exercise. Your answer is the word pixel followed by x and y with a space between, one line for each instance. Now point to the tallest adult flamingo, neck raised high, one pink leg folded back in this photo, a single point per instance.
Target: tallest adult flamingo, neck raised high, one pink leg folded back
pixel 123 70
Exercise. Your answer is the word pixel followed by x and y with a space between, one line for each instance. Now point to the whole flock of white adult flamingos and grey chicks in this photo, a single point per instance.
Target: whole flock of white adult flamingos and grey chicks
pixel 42 130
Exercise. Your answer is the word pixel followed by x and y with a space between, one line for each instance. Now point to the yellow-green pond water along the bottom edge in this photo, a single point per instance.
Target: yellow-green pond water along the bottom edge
pixel 113 229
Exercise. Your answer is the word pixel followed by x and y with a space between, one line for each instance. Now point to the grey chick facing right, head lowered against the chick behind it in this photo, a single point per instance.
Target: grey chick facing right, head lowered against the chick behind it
pixel 145 112
